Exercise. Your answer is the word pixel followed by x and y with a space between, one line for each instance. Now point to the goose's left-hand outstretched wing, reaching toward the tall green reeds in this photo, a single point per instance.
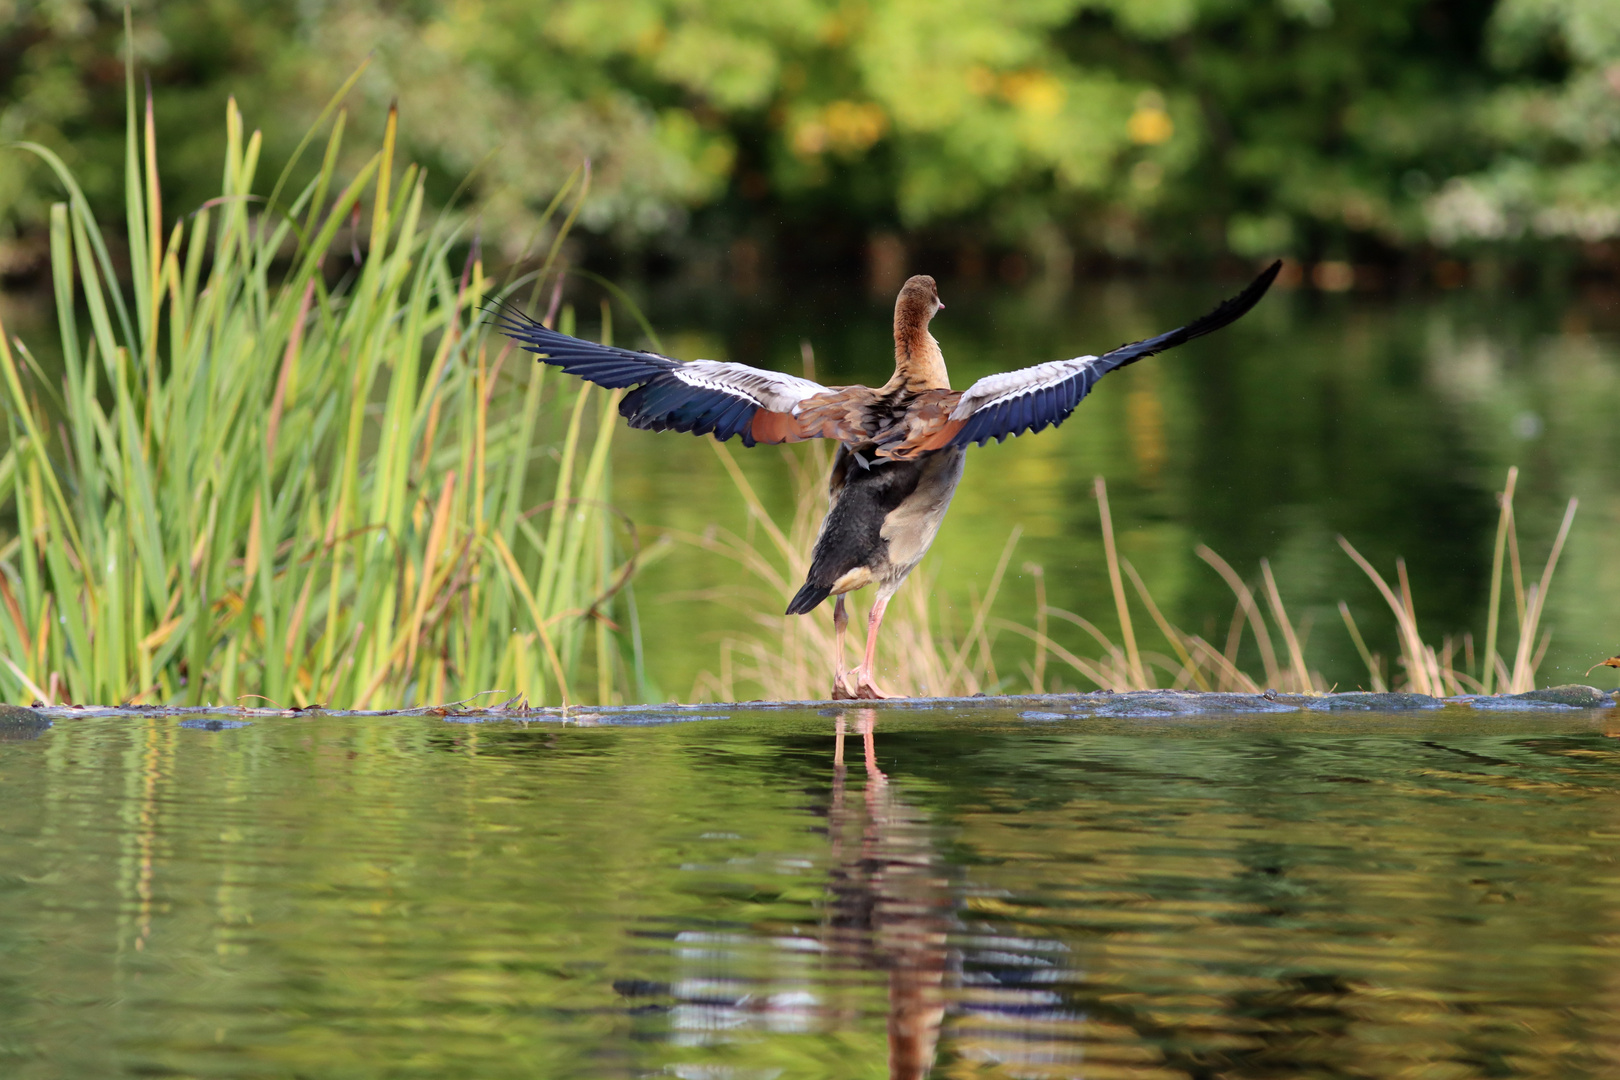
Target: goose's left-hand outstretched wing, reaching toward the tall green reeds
pixel 704 398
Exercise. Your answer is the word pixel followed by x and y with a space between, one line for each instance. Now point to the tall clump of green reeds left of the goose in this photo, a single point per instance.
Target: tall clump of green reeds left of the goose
pixel 276 472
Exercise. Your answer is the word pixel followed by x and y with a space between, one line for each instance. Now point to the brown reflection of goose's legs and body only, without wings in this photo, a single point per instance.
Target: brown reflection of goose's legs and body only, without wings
pixel 892 904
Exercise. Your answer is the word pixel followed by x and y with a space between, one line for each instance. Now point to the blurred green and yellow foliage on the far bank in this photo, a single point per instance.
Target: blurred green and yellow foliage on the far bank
pixel 1143 129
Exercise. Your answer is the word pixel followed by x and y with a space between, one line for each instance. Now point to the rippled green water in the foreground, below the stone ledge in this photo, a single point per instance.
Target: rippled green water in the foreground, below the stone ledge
pixel 761 896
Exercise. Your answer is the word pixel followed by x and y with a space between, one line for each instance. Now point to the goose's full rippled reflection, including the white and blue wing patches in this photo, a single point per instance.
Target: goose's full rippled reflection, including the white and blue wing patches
pixel 892 904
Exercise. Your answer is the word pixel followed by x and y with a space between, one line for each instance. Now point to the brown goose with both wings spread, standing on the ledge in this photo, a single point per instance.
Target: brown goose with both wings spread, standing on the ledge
pixel 900 446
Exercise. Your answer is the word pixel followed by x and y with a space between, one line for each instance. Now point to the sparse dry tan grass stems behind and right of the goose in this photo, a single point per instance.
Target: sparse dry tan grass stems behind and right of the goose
pixel 926 653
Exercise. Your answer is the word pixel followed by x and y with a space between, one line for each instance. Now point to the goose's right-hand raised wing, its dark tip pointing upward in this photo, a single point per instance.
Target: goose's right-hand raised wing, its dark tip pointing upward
pixel 1033 399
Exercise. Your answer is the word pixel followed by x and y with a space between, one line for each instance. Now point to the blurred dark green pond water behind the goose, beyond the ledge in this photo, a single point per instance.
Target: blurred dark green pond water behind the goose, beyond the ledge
pixel 1391 422
